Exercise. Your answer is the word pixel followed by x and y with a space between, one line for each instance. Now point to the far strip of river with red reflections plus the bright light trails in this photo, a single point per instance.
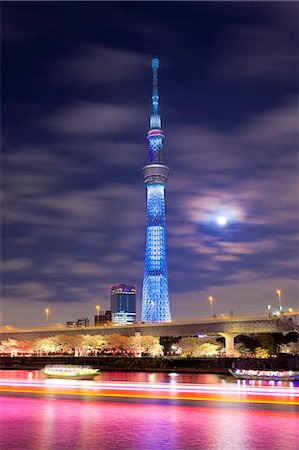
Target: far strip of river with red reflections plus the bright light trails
pixel 151 386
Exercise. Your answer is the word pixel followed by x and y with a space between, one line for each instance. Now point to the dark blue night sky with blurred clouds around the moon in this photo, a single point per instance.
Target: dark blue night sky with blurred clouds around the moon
pixel 76 100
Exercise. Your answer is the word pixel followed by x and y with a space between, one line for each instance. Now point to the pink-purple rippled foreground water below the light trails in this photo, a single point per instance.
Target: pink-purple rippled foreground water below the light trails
pixel 43 424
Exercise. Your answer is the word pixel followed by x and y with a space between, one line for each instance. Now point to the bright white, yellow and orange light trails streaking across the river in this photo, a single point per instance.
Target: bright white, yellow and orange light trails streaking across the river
pixel 239 392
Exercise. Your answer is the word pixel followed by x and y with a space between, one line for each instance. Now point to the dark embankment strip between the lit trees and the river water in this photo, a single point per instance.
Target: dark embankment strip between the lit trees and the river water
pixel 163 364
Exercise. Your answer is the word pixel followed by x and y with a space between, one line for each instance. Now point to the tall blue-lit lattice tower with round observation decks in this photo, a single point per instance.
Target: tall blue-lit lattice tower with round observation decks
pixel 155 300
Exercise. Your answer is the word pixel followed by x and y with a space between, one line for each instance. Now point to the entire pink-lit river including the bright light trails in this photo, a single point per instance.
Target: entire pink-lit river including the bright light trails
pixel 146 411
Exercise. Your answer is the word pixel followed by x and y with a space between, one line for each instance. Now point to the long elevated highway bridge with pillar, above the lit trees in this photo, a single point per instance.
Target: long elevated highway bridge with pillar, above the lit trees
pixel 228 327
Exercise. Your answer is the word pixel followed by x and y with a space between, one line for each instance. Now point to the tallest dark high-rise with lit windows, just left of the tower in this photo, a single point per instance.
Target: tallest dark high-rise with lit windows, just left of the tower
pixel 123 304
